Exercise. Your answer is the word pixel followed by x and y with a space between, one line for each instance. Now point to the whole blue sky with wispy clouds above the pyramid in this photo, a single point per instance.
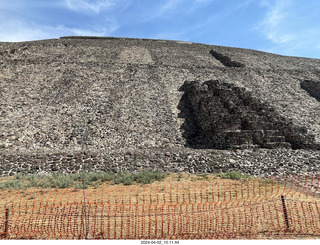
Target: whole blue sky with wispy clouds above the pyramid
pixel 288 27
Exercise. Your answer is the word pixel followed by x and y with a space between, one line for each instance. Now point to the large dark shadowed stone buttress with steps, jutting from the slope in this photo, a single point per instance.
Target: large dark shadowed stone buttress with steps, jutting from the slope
pixel 231 117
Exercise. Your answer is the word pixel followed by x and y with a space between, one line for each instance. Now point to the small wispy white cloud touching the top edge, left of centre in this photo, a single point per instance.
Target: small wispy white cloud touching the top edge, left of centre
pixel 96 6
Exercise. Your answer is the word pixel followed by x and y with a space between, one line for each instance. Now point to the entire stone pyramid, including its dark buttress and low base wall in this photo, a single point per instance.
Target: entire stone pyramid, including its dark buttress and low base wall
pixel 131 104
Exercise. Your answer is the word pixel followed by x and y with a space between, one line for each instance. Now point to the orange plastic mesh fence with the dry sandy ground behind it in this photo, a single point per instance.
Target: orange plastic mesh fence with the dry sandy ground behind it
pixel 287 207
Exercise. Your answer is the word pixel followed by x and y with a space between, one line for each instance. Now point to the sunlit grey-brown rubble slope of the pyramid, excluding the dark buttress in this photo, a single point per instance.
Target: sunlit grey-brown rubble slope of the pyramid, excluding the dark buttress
pixel 104 95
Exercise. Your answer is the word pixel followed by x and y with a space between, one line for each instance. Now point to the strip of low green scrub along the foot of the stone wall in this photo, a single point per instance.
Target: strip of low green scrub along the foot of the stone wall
pixel 96 179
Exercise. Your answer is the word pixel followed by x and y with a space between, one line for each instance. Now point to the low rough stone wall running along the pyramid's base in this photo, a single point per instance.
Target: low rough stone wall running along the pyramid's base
pixel 256 162
